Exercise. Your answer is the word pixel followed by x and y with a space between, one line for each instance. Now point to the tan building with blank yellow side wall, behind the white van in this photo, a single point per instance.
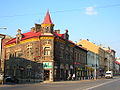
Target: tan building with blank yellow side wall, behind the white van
pixel 106 56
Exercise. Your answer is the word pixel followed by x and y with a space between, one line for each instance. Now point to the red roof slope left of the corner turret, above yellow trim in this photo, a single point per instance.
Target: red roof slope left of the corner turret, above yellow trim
pixel 25 36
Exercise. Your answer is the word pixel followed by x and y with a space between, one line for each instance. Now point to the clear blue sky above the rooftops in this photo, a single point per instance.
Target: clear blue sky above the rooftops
pixel 96 20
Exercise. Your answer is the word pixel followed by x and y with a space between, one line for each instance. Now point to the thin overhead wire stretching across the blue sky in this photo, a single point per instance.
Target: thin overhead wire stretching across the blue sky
pixel 70 10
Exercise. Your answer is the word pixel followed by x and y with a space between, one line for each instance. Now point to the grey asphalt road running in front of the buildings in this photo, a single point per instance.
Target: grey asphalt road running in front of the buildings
pixel 100 84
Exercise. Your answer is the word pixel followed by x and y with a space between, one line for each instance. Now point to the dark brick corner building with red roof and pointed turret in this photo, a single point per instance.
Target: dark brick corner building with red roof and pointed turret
pixel 60 57
